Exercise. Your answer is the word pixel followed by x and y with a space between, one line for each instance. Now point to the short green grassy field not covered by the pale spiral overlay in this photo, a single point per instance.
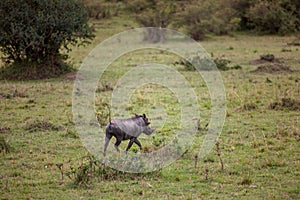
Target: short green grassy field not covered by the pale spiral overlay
pixel 259 145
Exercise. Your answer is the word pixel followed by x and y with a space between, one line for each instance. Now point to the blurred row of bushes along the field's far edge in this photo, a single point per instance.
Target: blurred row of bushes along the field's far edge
pixel 197 18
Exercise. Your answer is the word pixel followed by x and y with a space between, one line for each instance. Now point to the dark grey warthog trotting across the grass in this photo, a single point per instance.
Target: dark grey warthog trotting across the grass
pixel 127 129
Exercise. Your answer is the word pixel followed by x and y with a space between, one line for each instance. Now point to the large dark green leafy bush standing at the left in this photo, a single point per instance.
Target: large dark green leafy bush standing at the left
pixel 34 31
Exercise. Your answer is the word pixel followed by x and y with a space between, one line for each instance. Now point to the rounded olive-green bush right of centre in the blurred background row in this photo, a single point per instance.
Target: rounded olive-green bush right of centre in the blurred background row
pixel 207 16
